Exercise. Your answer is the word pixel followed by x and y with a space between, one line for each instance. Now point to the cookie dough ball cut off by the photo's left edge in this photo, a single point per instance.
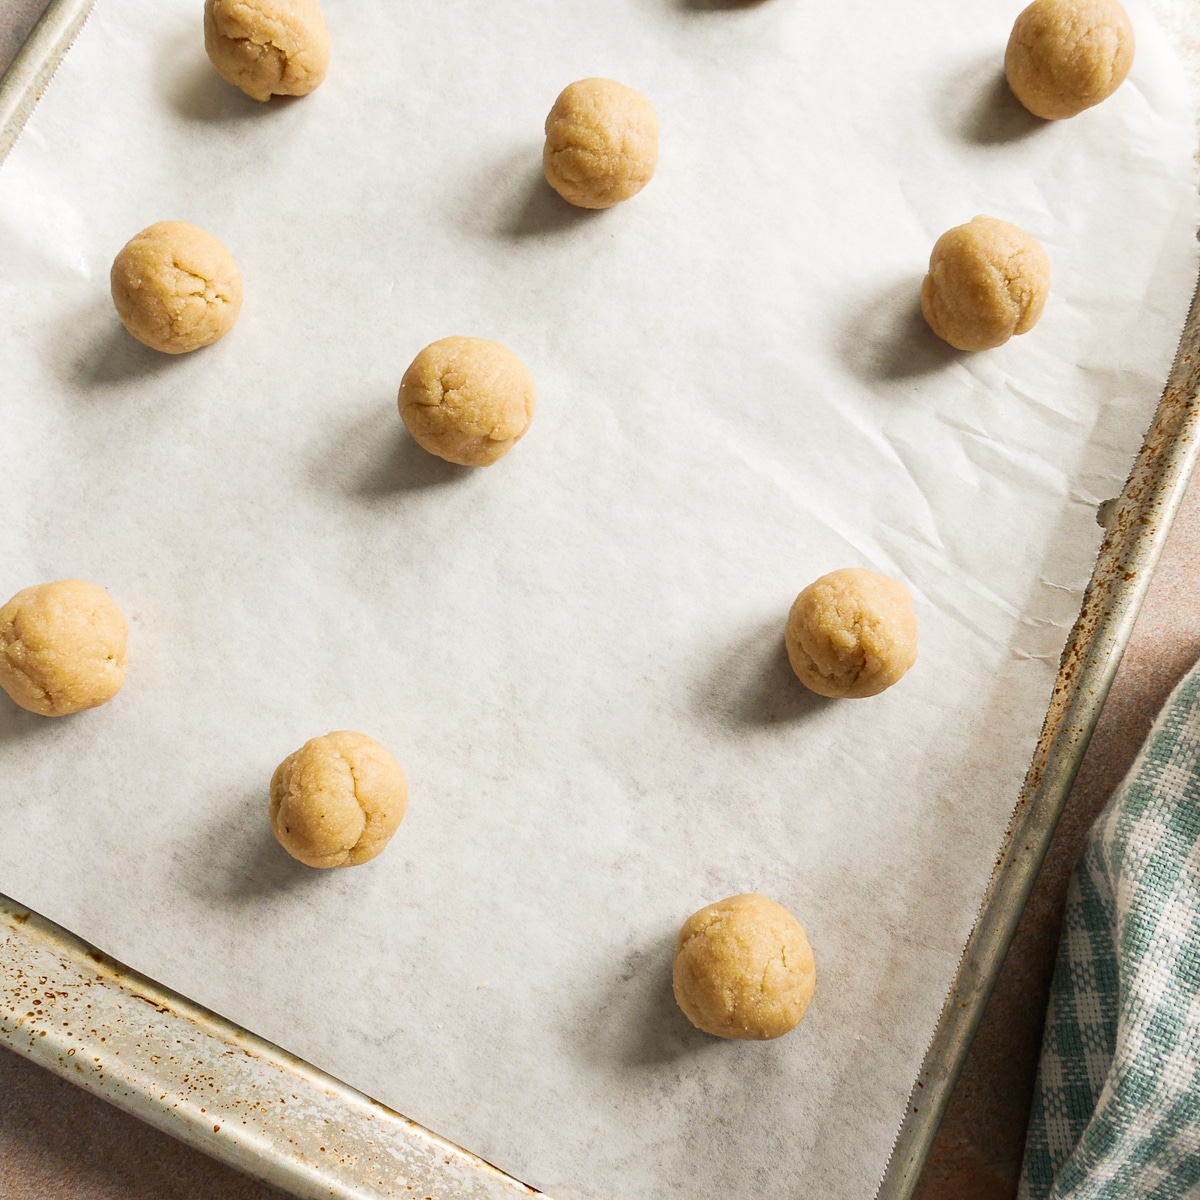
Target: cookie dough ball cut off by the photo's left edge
pixel 63 647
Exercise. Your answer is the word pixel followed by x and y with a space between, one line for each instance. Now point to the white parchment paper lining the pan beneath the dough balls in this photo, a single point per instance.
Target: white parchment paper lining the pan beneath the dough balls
pixel 577 653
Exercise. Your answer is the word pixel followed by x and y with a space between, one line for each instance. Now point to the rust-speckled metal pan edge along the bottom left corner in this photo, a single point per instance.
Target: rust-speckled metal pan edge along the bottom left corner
pixel 202 1079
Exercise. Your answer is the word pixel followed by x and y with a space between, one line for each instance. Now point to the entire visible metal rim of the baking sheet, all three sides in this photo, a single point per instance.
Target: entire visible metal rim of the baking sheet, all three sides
pixel 227 1093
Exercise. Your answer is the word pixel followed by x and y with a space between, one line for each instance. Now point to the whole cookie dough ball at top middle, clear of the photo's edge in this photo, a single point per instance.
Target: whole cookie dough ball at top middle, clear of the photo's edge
pixel 602 143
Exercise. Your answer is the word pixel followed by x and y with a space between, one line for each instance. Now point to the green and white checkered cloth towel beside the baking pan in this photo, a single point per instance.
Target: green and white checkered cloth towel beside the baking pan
pixel 1117 1112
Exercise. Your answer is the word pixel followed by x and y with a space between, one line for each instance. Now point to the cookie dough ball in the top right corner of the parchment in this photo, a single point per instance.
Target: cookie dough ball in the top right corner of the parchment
pixel 1066 56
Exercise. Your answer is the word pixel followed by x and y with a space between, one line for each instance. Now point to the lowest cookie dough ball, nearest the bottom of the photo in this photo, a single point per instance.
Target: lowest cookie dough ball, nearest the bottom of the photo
pixel 743 969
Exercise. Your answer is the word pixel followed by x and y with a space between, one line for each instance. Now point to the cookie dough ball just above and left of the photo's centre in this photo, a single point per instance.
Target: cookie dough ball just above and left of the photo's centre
pixel 467 400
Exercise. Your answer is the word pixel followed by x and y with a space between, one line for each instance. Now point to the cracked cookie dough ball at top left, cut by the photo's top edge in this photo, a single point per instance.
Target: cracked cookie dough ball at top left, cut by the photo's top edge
pixel 268 47
